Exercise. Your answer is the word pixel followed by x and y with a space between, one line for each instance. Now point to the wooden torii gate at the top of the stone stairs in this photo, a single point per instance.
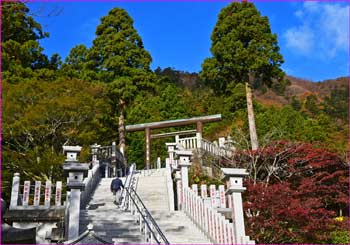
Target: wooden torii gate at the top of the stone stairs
pixel 166 124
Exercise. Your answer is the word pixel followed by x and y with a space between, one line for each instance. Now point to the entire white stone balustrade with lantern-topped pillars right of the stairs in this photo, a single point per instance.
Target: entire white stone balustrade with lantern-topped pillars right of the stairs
pixel 216 211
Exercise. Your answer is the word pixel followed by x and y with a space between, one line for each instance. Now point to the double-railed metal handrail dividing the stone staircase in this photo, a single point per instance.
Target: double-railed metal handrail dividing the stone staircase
pixel 156 233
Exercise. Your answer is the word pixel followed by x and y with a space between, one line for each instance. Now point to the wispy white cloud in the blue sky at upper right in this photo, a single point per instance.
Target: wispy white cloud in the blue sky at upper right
pixel 323 31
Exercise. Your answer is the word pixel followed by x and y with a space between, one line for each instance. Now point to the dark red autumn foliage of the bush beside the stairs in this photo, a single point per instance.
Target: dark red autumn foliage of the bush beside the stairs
pixel 300 200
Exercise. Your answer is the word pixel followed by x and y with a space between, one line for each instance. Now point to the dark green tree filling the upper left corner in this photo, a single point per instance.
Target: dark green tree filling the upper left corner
pixel 21 52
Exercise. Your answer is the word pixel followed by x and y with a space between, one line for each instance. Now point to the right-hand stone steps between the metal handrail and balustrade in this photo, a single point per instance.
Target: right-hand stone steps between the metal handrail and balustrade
pixel 175 225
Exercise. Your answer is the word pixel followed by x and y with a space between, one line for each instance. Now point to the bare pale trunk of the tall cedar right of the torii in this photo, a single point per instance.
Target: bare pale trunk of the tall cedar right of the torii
pixel 251 119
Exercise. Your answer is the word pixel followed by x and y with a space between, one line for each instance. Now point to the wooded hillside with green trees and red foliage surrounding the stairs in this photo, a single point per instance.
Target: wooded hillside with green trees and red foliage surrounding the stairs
pixel 297 190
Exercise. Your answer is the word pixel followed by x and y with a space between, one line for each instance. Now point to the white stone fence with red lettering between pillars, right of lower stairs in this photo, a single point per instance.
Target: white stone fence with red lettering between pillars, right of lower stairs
pixel 215 214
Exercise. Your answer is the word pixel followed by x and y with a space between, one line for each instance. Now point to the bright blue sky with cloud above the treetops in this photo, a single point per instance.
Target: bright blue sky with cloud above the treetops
pixel 313 36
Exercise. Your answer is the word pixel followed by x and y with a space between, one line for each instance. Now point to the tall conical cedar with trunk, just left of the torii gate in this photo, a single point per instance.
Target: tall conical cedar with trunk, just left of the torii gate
pixel 119 58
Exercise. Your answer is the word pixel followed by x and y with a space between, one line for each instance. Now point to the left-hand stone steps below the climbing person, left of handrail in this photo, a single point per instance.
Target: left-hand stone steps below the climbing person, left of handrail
pixel 109 223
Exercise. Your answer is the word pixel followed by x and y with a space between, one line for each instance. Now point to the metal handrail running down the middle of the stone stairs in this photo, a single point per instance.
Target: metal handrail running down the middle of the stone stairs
pixel 149 216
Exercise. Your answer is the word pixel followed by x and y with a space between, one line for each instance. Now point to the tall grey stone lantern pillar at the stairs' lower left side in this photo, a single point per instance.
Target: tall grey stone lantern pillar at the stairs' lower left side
pixel 75 171
